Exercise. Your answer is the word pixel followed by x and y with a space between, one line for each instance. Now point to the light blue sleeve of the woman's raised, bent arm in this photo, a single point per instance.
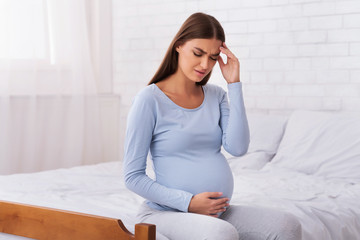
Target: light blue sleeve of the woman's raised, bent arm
pixel 234 124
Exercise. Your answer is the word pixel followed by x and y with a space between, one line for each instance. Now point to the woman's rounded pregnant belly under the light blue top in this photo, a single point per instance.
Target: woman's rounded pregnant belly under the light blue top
pixel 206 174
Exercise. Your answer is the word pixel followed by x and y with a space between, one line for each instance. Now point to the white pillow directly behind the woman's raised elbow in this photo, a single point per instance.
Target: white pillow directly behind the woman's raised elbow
pixel 266 132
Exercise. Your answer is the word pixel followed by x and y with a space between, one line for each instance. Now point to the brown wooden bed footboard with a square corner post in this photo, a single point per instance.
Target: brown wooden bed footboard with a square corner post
pixel 53 224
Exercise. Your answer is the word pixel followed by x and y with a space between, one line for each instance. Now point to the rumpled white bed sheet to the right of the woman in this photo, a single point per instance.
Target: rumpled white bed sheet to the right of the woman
pixel 327 208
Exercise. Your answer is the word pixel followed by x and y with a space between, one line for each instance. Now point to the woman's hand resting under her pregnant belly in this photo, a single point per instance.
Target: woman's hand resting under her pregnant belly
pixel 208 203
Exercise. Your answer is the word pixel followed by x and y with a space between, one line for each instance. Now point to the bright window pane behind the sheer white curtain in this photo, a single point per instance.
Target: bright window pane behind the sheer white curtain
pixel 23 30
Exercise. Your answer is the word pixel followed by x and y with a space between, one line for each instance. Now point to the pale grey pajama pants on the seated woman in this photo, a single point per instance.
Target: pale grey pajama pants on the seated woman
pixel 238 222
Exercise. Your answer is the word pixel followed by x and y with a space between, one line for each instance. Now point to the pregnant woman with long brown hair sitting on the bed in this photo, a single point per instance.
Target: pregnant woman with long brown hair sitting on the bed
pixel 183 122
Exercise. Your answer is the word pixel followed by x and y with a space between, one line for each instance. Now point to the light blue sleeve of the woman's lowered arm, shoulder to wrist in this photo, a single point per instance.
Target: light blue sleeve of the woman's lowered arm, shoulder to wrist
pixel 140 125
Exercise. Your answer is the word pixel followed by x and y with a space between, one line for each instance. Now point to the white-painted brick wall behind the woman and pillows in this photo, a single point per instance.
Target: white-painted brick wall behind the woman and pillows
pixel 294 54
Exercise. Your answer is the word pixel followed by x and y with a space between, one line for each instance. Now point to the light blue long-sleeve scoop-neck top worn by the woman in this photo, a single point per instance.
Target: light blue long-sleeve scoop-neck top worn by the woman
pixel 184 144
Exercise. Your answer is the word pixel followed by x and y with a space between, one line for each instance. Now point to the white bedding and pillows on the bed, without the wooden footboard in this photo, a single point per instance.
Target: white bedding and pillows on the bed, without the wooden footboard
pixel 307 164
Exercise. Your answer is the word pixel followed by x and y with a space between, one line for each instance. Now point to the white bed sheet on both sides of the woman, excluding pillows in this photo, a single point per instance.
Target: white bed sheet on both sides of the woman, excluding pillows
pixel 327 208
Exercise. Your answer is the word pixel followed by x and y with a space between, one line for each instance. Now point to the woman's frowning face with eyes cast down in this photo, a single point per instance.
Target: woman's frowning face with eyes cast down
pixel 197 57
